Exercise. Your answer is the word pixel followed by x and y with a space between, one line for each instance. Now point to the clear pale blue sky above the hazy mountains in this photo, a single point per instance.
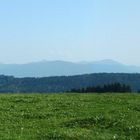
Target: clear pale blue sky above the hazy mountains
pixel 70 30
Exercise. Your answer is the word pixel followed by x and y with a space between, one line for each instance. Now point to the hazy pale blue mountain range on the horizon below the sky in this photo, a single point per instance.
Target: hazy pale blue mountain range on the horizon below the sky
pixel 61 68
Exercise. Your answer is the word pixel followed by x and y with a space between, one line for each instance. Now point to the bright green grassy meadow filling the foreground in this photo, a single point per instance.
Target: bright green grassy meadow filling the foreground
pixel 70 116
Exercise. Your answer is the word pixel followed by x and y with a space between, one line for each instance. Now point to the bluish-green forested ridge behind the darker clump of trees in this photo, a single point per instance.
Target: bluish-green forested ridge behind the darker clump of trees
pixel 10 84
